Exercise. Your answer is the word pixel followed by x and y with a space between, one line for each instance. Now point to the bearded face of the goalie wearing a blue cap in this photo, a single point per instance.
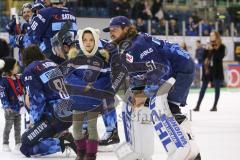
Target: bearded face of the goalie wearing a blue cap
pixel 117 34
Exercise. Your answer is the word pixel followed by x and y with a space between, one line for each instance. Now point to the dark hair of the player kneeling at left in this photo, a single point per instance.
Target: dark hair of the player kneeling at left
pixel 32 53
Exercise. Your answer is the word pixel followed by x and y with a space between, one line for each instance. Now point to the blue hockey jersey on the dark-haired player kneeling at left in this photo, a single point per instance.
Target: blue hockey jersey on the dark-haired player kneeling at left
pixel 40 94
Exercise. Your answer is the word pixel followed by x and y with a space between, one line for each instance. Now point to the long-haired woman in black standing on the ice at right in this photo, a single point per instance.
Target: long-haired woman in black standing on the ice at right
pixel 212 68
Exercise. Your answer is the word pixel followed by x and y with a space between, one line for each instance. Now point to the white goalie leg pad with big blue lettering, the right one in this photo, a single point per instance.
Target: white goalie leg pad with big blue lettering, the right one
pixel 172 135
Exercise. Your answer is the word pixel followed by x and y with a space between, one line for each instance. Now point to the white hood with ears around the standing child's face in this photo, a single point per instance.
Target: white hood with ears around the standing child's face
pixel 84 47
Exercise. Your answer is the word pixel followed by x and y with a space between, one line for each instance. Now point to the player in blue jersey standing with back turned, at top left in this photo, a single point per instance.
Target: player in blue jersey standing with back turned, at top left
pixel 45 25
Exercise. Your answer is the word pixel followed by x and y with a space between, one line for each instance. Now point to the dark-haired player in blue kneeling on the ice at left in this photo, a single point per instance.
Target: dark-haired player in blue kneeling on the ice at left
pixel 39 139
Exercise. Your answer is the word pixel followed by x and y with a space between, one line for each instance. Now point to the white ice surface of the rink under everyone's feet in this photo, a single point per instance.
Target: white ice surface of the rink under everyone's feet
pixel 217 133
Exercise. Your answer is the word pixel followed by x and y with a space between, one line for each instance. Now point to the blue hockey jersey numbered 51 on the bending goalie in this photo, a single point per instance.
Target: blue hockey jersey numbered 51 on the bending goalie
pixel 155 53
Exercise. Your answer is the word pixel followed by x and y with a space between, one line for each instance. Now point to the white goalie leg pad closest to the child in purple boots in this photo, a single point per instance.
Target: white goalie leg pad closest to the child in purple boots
pixel 137 126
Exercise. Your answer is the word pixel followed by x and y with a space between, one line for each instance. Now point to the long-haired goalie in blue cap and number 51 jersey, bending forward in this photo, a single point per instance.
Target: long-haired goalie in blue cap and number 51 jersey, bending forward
pixel 149 51
